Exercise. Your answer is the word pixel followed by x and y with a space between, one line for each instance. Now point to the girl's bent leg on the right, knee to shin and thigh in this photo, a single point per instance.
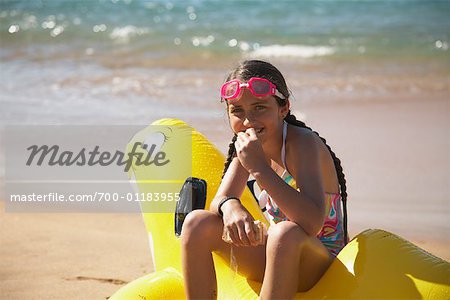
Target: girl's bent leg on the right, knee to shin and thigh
pixel 295 261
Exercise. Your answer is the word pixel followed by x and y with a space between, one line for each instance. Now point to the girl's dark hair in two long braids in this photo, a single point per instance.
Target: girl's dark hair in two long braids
pixel 256 68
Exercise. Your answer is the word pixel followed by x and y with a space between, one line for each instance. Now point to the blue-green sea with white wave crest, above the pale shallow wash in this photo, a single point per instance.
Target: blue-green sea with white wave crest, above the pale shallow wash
pixel 155 30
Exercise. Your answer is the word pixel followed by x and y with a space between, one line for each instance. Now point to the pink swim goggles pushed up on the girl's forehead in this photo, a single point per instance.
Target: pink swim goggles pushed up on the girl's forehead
pixel 259 87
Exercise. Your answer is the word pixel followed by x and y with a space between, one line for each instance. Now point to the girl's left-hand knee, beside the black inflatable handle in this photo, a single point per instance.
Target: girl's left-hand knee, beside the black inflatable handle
pixel 199 224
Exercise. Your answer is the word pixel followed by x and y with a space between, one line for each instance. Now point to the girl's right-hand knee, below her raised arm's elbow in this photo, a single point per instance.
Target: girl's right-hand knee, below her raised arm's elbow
pixel 285 235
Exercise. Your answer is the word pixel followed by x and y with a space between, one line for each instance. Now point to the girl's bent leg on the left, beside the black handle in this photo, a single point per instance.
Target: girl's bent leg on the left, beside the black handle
pixel 201 235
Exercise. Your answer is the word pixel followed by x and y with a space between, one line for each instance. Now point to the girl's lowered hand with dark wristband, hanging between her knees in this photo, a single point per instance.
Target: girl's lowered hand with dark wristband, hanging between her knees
pixel 238 225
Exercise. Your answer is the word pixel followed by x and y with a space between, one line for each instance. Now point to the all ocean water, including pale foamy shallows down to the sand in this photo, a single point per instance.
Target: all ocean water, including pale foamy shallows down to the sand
pixel 132 61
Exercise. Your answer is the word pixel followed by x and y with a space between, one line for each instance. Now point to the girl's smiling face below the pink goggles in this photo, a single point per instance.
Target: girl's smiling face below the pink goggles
pixel 261 113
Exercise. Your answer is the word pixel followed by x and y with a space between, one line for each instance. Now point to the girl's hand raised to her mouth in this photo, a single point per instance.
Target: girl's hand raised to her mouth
pixel 249 151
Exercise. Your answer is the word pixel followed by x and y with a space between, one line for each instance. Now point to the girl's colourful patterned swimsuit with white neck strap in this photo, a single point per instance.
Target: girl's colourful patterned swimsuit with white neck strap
pixel 332 232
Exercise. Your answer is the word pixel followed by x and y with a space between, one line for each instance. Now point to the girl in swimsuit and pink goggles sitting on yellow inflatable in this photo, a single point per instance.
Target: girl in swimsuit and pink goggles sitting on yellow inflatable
pixel 302 182
